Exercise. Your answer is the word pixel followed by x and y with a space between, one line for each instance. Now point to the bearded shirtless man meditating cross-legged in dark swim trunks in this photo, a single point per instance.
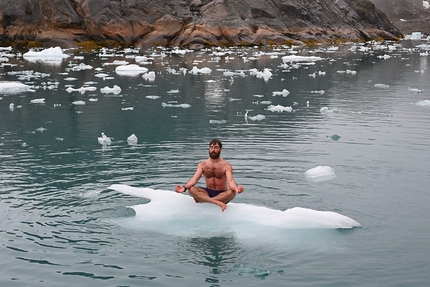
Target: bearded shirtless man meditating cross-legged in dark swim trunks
pixel 217 173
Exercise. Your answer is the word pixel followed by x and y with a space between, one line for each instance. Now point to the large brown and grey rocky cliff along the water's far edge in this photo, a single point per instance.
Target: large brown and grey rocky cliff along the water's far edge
pixel 192 23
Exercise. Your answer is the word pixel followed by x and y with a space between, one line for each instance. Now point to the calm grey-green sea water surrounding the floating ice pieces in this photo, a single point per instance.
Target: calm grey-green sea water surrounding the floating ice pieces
pixel 361 110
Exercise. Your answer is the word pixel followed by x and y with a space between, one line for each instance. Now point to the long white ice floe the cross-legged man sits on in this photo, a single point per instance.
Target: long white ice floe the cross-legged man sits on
pixel 170 209
